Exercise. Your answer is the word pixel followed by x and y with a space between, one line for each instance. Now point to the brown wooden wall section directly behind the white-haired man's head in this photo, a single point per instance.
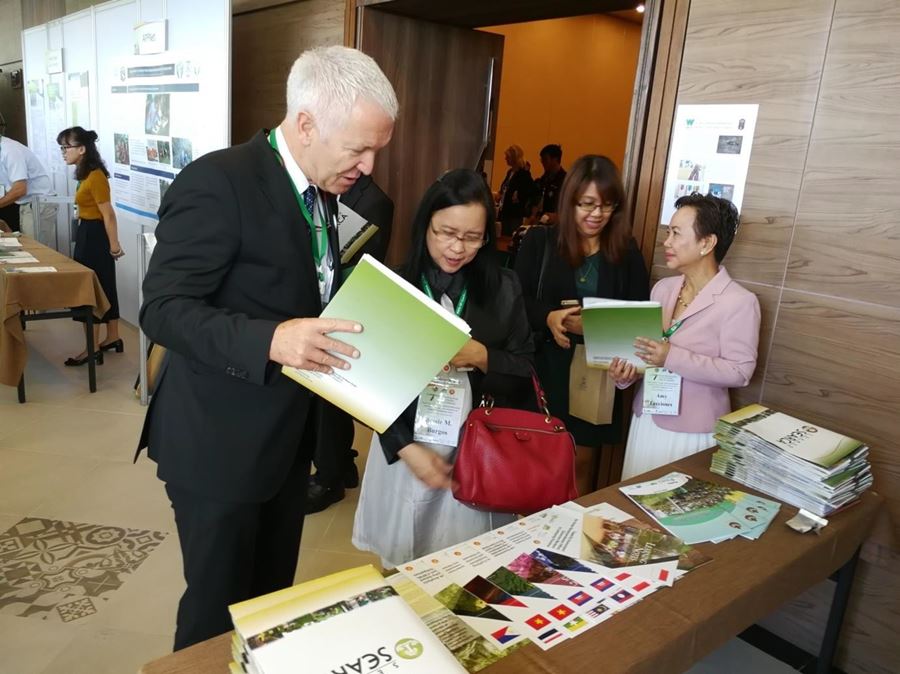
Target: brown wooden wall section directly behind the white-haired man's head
pixel 265 44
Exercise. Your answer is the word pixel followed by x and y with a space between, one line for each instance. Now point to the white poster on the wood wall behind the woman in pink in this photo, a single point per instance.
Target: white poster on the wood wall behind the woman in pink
pixel 709 153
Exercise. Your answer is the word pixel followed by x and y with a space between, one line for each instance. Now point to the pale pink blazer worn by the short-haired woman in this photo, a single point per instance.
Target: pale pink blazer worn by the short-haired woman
pixel 713 350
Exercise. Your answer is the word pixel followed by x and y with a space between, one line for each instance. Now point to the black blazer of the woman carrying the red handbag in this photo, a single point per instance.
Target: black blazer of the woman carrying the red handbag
pixel 501 325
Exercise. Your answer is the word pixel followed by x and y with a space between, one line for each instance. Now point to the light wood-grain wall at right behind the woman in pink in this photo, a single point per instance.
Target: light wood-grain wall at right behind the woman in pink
pixel 820 245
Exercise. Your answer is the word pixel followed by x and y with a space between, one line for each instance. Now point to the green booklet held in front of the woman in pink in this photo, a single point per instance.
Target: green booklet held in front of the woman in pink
pixel 611 326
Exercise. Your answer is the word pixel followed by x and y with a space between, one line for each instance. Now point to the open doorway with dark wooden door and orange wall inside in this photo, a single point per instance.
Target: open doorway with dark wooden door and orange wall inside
pixel 452 62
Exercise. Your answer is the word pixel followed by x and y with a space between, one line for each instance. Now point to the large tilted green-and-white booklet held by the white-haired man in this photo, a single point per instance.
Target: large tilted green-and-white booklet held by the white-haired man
pixel 406 339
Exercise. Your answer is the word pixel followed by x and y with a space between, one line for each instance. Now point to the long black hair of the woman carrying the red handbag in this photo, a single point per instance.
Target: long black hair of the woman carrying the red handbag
pixel 458 187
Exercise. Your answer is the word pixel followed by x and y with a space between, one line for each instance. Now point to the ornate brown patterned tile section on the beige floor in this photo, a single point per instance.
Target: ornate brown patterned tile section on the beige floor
pixel 64 571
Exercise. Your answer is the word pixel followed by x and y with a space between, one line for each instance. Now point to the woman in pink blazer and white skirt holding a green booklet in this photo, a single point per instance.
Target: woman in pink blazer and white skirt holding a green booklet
pixel 712 328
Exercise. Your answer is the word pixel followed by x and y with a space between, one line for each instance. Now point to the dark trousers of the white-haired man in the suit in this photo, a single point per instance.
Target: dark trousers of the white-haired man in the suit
pixel 235 551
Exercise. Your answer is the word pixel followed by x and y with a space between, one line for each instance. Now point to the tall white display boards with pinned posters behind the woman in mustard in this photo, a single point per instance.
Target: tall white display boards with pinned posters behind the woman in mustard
pixel 106 87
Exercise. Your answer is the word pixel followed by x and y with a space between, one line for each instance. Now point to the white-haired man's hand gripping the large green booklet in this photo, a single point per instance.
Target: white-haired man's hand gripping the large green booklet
pixel 304 343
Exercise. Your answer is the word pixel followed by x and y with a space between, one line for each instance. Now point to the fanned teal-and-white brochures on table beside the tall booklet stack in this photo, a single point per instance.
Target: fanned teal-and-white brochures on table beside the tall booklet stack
pixel 697 510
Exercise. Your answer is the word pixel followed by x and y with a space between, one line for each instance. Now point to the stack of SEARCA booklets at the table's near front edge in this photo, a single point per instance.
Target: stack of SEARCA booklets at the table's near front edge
pixel 350 621
